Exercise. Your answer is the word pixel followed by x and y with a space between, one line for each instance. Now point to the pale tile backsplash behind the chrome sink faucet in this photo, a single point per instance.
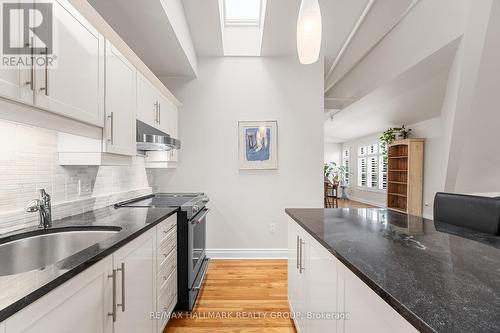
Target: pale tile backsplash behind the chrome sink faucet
pixel 28 162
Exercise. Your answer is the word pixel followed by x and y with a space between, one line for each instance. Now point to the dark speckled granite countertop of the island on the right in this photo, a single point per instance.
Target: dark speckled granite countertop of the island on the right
pixel 439 277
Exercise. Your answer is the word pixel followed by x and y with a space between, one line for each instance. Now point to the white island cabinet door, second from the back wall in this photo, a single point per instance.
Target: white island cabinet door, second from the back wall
pixel 321 289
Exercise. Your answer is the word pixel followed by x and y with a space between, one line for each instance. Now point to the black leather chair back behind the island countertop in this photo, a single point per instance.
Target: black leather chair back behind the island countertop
pixel 468 211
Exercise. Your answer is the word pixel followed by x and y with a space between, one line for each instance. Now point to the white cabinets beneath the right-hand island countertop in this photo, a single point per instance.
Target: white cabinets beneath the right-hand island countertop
pixel 323 292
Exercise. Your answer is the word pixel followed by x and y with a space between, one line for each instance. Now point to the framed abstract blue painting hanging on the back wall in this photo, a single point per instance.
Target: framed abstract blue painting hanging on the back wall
pixel 258 144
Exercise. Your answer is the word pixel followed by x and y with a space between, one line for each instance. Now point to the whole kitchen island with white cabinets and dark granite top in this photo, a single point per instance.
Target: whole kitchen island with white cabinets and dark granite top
pixel 385 270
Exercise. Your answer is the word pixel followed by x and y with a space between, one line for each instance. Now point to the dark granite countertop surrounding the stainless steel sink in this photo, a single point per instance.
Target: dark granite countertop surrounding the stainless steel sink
pixel 19 290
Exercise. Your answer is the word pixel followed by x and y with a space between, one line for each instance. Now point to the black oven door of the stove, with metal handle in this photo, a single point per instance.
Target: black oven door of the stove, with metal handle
pixel 197 244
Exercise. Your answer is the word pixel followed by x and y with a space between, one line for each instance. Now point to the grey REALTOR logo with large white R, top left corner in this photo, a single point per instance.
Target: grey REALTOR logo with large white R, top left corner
pixel 27 33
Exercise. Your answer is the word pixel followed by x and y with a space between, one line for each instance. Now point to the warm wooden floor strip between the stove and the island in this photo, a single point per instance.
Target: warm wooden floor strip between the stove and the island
pixel 243 296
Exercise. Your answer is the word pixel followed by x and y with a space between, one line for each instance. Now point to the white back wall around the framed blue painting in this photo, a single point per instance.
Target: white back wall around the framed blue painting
pixel 244 202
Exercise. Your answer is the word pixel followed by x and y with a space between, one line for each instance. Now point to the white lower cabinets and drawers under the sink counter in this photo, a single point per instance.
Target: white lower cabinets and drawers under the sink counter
pixel 119 294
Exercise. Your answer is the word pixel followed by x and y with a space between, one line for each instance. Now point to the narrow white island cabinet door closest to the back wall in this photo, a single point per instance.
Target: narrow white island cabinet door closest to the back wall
pixel 296 277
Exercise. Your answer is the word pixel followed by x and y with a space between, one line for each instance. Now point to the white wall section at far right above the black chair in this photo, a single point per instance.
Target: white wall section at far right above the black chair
pixel 474 154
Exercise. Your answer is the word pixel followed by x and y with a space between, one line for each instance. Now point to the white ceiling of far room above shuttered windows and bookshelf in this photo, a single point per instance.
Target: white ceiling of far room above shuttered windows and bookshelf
pixel 413 96
